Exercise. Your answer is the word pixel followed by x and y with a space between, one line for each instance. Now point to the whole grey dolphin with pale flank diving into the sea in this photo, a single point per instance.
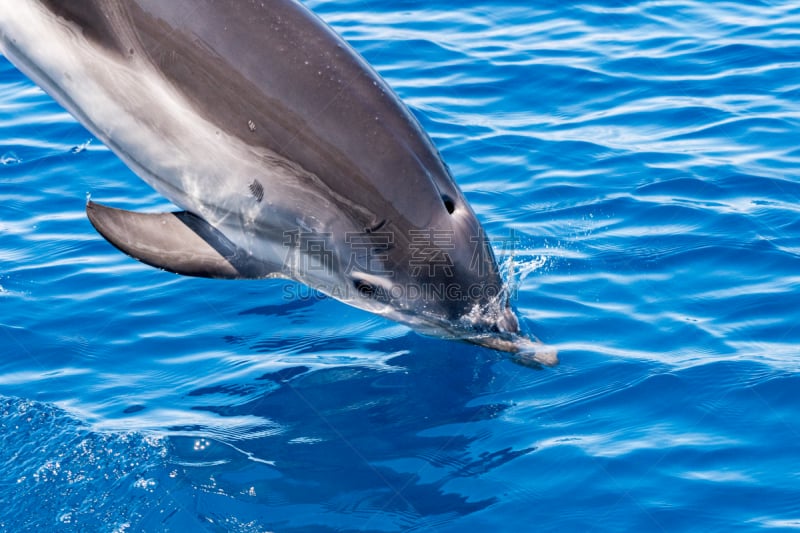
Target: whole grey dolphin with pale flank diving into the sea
pixel 288 155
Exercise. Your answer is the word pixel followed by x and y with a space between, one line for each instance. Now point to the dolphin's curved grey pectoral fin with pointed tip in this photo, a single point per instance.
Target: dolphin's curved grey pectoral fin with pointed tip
pixel 180 242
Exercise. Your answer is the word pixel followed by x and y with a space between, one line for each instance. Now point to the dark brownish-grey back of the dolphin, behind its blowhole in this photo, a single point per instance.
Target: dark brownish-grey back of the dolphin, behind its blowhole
pixel 311 99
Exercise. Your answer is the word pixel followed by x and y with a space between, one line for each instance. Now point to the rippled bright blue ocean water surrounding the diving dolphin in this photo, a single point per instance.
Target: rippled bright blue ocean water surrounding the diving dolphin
pixel 638 165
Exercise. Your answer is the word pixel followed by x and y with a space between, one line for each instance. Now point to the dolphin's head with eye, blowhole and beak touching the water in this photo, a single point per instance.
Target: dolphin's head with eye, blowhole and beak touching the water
pixel 436 273
